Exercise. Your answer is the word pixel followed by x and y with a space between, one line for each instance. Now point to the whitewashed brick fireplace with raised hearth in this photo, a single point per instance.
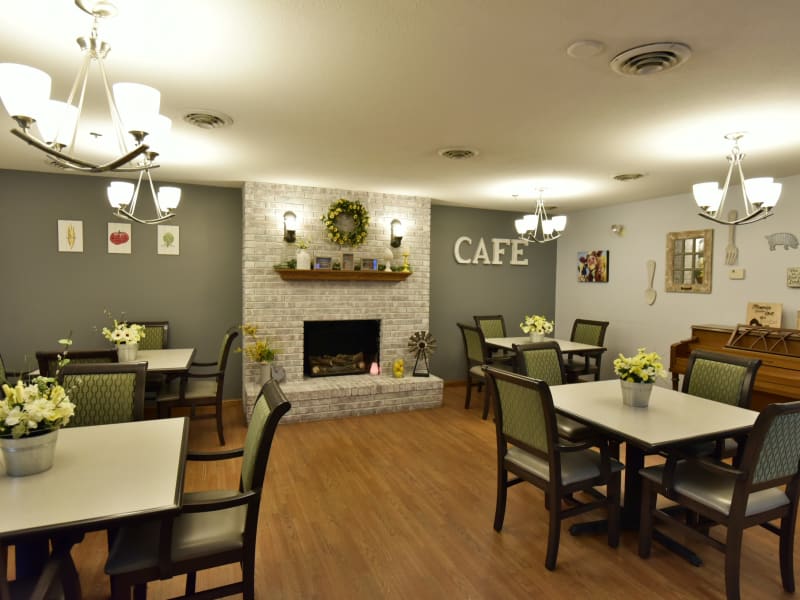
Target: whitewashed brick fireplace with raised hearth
pixel 280 307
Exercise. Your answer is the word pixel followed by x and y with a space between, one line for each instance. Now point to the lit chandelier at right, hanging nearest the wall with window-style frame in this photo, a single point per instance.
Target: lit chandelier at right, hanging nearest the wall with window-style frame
pixel 760 194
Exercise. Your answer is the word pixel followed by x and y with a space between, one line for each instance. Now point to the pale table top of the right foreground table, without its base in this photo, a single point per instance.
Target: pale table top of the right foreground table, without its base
pixel 671 417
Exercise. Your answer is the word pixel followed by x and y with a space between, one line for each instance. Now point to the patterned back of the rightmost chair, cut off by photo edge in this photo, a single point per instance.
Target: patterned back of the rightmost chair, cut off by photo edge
pixel 778 458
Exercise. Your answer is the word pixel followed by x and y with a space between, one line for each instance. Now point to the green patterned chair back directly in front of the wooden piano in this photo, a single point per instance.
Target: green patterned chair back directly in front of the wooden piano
pixel 721 377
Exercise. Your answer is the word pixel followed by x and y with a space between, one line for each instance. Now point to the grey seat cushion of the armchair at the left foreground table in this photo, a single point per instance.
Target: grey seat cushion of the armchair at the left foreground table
pixel 194 534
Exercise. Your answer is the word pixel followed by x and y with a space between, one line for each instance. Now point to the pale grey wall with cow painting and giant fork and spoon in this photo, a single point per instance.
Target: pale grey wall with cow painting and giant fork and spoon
pixel 621 300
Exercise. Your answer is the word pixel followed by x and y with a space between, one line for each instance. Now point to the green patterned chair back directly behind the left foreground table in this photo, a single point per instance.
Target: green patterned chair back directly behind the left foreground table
pixel 105 393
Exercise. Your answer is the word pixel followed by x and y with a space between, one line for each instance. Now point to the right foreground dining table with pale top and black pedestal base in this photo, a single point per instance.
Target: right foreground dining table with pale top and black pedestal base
pixel 672 418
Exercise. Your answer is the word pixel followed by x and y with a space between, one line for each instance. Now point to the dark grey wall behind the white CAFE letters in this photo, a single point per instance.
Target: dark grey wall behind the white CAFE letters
pixel 459 291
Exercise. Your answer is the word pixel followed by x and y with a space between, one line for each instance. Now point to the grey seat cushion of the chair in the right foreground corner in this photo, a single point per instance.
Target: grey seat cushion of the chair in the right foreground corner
pixel 714 489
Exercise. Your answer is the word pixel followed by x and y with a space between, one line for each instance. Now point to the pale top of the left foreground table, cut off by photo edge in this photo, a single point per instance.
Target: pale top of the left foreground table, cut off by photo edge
pixel 101 474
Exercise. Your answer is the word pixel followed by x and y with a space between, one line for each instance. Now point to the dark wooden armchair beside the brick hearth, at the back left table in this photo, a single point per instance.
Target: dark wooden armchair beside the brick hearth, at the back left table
pixel 202 385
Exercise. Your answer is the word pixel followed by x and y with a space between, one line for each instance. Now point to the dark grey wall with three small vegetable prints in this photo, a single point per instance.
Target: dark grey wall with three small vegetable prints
pixel 46 293
